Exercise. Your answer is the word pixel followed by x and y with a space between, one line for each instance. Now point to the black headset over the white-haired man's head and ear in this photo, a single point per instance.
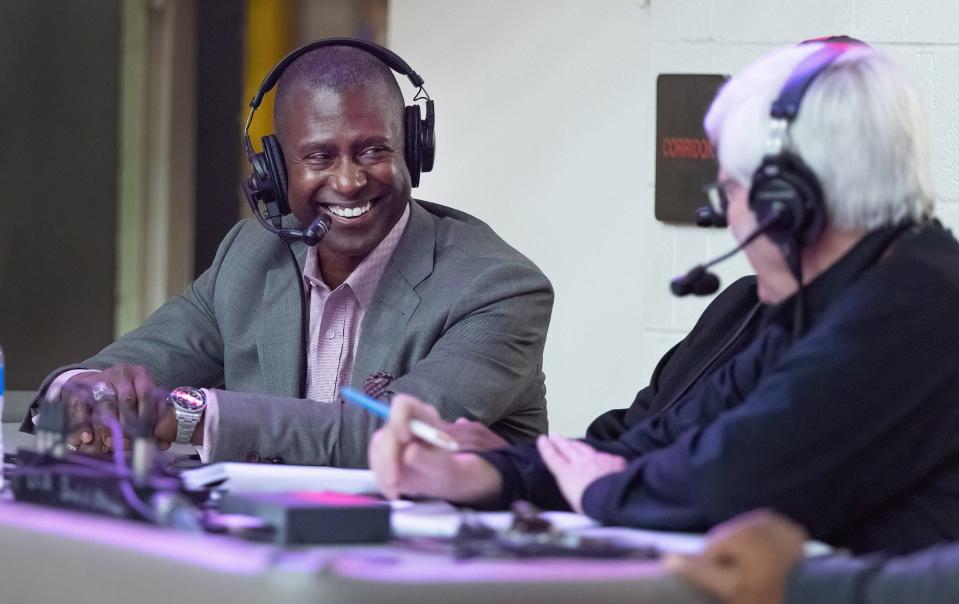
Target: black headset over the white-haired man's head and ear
pixel 784 189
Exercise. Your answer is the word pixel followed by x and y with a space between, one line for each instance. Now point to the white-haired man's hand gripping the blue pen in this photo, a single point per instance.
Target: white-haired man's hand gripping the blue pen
pixel 405 465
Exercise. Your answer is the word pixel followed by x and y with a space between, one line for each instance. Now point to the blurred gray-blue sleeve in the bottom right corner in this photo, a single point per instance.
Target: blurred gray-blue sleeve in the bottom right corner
pixel 930 576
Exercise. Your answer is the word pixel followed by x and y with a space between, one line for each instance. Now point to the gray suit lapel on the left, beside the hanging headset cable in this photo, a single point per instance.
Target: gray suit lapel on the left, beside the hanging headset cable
pixel 278 332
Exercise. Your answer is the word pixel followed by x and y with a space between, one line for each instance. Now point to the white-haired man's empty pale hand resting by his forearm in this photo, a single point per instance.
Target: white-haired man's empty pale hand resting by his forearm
pixel 576 465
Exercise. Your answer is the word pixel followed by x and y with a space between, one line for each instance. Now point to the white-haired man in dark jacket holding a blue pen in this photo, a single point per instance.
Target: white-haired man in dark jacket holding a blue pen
pixel 841 413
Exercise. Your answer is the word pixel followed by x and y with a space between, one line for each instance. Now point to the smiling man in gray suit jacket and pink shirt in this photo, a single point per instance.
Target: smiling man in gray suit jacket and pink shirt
pixel 424 292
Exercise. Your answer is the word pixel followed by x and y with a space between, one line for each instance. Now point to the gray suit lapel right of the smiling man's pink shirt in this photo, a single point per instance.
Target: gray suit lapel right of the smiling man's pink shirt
pixel 396 299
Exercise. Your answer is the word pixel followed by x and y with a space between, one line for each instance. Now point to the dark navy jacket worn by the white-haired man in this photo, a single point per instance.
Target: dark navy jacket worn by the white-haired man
pixel 852 429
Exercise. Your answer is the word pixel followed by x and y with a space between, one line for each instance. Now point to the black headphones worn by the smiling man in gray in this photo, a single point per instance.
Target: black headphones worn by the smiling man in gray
pixel 268 181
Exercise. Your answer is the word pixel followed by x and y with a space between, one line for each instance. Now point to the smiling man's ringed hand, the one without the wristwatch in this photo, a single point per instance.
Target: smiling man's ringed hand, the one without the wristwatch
pixel 119 392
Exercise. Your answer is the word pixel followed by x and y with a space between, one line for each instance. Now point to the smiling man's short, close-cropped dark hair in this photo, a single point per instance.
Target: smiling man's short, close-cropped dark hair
pixel 337 68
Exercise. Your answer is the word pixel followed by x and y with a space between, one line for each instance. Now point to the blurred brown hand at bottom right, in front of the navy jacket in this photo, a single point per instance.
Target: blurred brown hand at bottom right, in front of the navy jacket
pixel 746 560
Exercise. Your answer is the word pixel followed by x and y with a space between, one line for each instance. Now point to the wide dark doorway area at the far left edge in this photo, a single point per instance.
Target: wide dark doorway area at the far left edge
pixel 59 204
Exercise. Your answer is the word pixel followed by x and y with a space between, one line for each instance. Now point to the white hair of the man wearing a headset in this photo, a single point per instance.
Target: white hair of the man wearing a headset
pixel 860 129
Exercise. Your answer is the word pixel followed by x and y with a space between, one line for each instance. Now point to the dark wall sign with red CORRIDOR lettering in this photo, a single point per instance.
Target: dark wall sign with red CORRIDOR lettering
pixel 685 161
